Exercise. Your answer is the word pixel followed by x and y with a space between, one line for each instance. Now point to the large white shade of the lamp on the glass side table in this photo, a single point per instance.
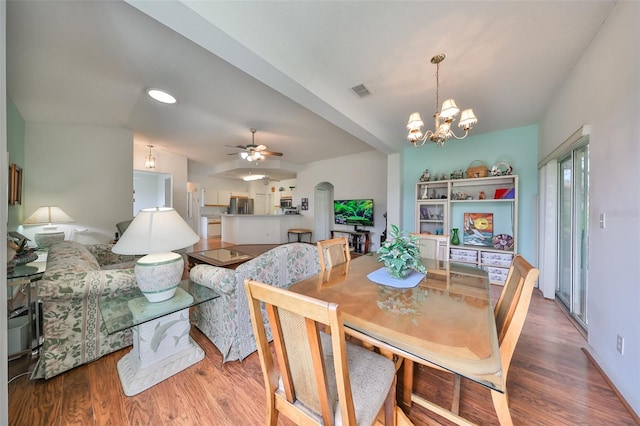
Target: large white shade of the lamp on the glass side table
pixel 156 230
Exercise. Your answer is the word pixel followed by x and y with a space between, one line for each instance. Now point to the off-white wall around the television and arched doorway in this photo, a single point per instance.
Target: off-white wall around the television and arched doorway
pixel 357 176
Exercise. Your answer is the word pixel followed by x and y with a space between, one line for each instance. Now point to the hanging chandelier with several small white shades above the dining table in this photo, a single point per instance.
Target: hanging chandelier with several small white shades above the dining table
pixel 443 119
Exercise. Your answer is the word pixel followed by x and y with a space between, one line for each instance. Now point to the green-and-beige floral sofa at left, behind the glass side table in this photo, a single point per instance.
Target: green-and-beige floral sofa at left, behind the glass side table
pixel 77 276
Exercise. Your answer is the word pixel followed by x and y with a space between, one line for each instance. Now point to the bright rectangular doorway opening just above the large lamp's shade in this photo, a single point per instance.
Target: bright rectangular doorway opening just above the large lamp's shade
pixel 151 189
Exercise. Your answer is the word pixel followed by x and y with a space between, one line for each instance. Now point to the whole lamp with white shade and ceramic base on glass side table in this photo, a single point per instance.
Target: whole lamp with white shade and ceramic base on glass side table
pixel 155 232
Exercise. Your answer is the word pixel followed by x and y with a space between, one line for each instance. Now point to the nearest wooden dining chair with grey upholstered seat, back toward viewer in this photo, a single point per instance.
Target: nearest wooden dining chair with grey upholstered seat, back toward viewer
pixel 321 379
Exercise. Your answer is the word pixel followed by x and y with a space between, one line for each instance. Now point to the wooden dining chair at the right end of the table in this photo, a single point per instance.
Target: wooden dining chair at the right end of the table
pixel 510 313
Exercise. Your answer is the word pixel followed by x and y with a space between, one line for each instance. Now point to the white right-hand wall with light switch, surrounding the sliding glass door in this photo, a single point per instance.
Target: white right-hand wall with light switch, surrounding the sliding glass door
pixel 603 91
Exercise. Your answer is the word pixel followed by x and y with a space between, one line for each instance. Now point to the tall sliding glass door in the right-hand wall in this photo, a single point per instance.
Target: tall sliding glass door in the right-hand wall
pixel 573 233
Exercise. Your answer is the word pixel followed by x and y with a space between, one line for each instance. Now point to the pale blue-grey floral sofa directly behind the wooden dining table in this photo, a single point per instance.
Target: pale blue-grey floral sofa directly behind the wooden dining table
pixel 225 320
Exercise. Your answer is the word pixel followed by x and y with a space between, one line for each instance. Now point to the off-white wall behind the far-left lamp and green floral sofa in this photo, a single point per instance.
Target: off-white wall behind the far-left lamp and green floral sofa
pixel 87 171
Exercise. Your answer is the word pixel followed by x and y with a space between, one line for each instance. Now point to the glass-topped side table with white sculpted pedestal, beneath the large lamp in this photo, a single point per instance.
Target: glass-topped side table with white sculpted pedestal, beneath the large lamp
pixel 162 346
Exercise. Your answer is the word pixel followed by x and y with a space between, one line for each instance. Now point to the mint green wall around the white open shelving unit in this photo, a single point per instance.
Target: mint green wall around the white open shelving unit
pixel 518 147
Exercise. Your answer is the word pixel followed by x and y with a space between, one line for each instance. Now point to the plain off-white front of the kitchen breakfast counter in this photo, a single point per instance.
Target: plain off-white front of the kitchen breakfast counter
pixel 258 229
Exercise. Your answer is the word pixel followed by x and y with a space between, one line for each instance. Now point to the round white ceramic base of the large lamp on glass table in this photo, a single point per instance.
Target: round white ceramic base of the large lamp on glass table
pixel 158 275
